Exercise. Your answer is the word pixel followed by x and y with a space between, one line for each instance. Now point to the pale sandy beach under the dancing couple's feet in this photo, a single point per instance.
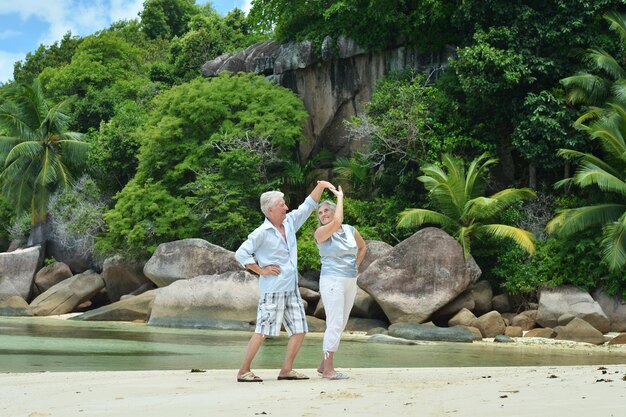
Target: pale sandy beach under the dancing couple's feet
pixel 590 391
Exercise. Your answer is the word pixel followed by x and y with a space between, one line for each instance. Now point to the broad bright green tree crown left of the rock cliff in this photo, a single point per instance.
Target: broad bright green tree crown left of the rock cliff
pixel 191 122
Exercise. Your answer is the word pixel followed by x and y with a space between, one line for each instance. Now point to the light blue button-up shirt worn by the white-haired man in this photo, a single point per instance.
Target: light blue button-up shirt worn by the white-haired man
pixel 267 245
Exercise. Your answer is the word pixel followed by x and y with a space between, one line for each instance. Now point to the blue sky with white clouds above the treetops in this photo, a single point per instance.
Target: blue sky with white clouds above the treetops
pixel 25 24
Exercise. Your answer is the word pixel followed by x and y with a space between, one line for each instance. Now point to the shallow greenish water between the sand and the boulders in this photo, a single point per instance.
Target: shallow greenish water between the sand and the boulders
pixel 47 344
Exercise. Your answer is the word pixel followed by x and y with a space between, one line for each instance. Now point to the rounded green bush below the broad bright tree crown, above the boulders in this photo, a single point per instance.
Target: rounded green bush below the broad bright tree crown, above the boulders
pixel 144 216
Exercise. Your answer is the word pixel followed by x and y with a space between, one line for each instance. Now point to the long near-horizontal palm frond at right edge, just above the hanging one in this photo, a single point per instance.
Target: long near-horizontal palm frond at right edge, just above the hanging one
pixel 570 221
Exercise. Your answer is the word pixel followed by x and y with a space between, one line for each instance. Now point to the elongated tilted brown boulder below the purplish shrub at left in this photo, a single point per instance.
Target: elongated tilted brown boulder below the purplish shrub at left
pixel 68 294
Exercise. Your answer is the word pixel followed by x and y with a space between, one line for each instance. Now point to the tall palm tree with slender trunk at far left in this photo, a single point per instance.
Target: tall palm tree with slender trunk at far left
pixel 37 152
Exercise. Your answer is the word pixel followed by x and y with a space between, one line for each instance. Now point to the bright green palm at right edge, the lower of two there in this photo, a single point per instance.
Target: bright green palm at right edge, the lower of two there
pixel 609 175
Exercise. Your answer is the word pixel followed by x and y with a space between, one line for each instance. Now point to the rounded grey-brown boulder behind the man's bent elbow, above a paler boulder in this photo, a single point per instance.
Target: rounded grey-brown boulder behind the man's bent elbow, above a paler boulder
pixel 186 259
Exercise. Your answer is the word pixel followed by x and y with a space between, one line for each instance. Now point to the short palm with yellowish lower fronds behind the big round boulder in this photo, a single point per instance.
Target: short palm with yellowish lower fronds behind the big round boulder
pixel 463 211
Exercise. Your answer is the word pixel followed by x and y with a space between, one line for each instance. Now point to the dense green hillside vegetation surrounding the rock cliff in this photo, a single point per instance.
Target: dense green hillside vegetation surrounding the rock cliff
pixel 173 155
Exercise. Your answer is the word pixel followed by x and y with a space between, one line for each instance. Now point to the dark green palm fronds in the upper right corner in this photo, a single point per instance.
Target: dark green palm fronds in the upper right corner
pixel 596 90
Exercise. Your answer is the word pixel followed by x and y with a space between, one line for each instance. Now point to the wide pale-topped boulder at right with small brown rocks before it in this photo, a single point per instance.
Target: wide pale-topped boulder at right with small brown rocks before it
pixel 567 299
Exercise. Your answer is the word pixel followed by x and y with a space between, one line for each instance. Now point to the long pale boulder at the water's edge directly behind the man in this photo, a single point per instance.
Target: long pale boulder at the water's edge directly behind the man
pixel 226 301
